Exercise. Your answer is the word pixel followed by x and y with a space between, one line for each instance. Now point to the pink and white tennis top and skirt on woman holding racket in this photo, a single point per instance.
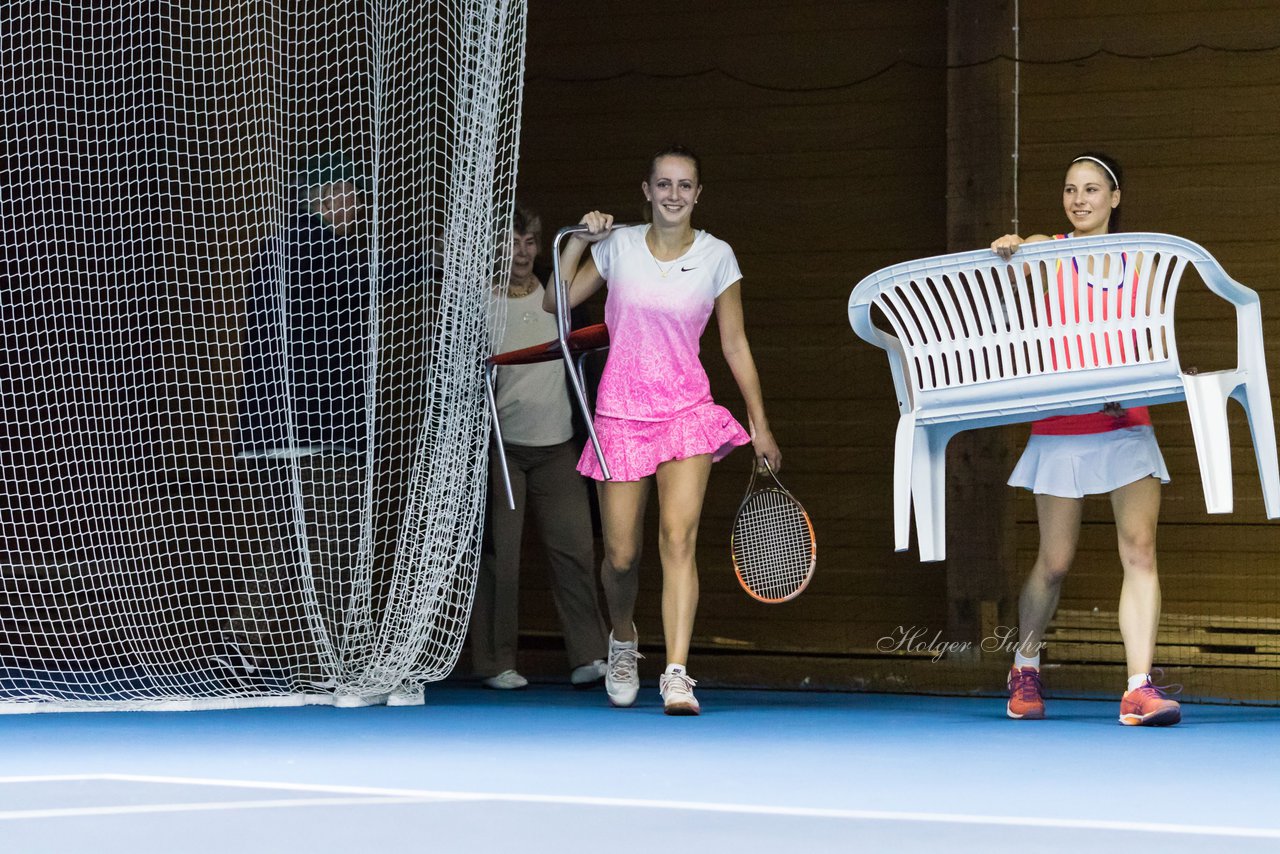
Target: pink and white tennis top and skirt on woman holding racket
pixel 655 403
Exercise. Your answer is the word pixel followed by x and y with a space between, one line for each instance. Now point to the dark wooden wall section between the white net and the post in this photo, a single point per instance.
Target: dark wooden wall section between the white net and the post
pixel 813 190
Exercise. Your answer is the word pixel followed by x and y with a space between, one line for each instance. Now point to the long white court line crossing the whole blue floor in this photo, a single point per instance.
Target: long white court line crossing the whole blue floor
pixel 422 796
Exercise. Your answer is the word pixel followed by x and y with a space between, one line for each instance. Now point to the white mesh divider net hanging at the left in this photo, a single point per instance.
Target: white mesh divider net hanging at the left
pixel 249 259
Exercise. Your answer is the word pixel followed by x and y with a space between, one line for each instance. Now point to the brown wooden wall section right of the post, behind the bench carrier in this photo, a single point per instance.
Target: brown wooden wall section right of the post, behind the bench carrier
pixel 1197 135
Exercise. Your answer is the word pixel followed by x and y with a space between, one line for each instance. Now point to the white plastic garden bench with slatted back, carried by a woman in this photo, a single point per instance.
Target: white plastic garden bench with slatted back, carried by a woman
pixel 979 341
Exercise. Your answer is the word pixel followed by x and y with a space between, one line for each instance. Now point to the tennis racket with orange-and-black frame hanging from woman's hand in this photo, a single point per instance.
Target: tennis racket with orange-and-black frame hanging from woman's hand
pixel 774 547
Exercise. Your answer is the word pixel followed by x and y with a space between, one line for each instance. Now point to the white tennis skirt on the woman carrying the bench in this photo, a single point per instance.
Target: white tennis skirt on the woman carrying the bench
pixel 1073 467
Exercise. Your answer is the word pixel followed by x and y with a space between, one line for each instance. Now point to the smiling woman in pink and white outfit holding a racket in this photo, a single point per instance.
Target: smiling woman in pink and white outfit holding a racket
pixel 655 413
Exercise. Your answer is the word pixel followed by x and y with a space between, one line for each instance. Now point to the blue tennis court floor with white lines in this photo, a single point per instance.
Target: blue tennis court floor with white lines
pixel 555 770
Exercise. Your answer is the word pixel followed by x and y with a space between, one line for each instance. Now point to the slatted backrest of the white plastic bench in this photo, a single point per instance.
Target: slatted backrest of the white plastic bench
pixel 1063 307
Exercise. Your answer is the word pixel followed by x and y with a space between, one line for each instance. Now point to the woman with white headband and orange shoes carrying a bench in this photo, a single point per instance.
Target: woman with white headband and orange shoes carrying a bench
pixel 1110 453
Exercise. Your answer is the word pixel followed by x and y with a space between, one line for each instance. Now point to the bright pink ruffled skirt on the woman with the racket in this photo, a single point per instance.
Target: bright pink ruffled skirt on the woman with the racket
pixel 634 450
